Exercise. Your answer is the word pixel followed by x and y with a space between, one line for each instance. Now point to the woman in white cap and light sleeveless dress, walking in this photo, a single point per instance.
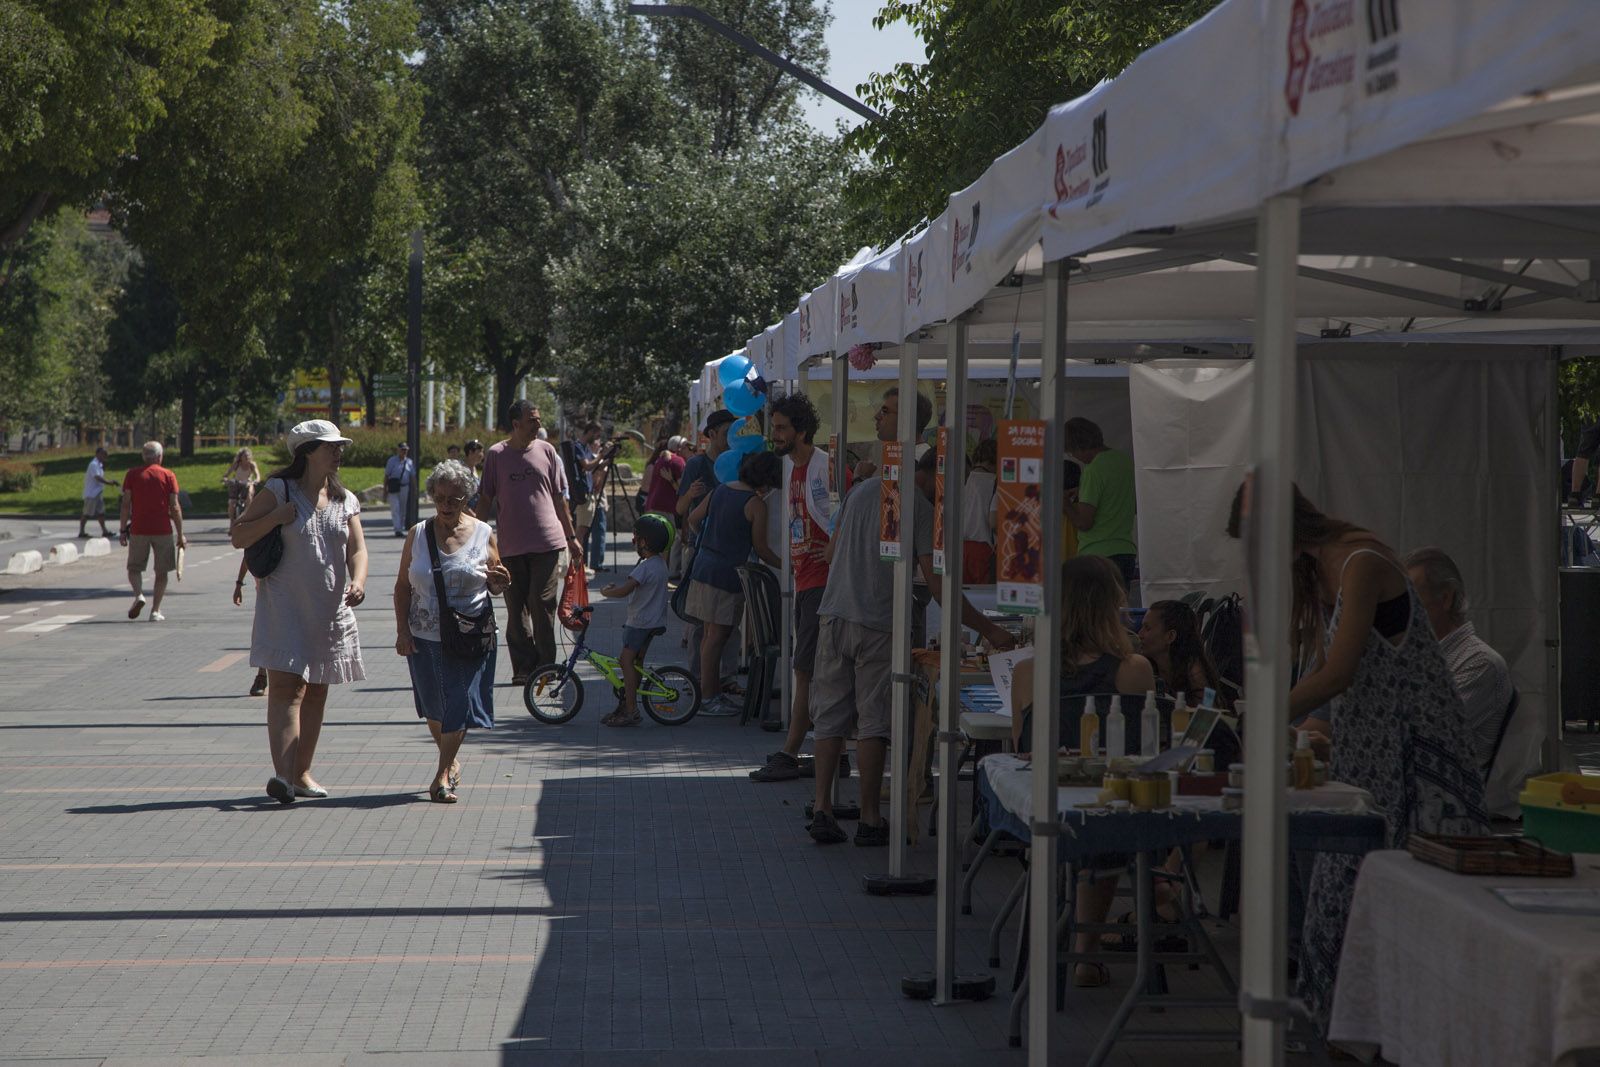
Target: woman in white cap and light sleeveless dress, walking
pixel 305 633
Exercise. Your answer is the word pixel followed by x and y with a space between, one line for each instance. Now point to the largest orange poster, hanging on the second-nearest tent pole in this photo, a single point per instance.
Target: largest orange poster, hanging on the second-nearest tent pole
pixel 1020 541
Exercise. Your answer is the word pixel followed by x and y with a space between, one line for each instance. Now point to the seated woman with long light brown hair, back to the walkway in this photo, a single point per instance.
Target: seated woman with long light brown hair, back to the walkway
pixel 1097 657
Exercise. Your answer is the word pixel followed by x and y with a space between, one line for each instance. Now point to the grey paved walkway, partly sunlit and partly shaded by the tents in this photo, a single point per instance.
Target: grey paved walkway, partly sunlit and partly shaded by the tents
pixel 599 897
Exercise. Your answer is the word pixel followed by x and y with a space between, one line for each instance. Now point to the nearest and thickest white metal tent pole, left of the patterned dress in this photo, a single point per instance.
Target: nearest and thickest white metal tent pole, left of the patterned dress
pixel 1270 545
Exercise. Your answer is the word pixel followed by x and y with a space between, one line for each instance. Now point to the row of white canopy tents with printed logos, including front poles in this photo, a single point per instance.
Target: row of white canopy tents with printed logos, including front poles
pixel 1460 135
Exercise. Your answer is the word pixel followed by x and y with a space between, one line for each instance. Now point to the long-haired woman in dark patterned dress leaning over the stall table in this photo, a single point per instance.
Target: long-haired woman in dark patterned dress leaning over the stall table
pixel 1380 687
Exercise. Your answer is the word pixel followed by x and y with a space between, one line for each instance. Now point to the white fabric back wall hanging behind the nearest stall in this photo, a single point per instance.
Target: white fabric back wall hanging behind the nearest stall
pixel 1418 447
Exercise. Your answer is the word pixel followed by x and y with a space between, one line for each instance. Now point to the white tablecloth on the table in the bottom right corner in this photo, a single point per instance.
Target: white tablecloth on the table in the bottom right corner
pixel 1439 970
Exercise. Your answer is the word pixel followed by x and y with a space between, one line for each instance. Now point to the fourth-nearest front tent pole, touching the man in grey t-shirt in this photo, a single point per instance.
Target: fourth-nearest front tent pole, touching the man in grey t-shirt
pixel 902 729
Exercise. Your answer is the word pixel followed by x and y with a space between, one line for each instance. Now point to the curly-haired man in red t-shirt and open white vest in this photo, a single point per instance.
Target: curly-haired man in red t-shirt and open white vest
pixel 809 521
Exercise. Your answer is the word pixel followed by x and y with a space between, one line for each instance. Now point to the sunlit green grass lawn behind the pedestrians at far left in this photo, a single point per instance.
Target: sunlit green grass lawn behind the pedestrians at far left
pixel 60 489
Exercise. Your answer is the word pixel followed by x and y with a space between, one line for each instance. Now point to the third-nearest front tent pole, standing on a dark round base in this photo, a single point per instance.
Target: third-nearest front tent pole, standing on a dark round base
pixel 951 660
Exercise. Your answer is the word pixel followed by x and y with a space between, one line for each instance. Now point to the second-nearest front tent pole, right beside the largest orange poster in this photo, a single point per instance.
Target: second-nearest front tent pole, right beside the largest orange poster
pixel 1047 674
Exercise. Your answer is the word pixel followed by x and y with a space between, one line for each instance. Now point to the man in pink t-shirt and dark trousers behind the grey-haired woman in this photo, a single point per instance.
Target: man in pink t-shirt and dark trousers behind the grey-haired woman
pixel 526 476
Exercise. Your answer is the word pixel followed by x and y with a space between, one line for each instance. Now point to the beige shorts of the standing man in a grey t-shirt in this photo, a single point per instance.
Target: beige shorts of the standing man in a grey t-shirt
pixel 852 684
